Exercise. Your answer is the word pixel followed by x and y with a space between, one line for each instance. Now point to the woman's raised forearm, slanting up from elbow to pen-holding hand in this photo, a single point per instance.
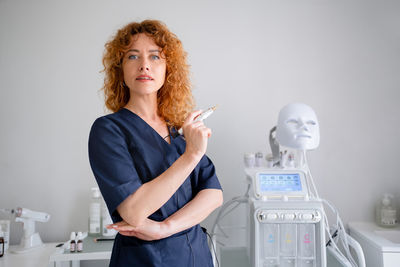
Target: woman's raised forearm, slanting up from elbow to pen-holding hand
pixel 152 195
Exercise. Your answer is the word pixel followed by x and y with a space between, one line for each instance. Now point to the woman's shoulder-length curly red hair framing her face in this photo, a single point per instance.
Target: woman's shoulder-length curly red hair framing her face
pixel 174 98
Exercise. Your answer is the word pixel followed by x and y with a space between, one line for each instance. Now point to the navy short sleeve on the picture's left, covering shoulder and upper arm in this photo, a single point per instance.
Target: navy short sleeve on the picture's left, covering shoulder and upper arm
pixel 112 163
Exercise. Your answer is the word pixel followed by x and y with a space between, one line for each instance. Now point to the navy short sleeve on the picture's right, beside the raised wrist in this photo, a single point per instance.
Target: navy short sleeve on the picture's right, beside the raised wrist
pixel 207 175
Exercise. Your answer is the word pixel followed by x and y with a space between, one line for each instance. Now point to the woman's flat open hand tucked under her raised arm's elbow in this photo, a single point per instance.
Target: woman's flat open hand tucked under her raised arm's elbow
pixel 149 230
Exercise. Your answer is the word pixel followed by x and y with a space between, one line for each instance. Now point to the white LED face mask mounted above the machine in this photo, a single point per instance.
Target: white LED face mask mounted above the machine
pixel 298 127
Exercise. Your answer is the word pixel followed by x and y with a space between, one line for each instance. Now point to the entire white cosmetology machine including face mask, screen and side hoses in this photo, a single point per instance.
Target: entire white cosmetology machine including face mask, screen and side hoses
pixel 287 224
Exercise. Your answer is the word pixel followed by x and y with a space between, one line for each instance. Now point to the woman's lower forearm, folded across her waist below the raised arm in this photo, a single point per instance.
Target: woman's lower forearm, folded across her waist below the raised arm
pixel 195 211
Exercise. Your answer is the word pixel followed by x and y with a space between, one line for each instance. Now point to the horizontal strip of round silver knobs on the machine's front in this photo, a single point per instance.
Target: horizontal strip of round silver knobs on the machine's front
pixel 288 216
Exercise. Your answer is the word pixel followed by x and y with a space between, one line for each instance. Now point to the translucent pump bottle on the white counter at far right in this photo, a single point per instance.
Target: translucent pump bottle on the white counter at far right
pixel 386 214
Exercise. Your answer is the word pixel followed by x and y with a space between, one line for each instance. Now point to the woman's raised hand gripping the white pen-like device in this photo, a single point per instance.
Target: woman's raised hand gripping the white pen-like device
pixel 196 135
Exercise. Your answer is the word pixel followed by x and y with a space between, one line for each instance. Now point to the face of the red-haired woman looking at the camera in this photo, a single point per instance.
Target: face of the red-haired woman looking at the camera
pixel 143 66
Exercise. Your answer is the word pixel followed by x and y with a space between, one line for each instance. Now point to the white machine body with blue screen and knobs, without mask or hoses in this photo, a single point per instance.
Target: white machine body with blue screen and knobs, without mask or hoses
pixel 286 227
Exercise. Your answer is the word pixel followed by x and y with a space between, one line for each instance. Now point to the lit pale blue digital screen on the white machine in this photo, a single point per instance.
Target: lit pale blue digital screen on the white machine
pixel 279 182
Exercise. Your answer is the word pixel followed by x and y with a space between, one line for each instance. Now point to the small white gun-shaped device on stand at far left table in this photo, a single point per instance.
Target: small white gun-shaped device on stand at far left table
pixel 30 239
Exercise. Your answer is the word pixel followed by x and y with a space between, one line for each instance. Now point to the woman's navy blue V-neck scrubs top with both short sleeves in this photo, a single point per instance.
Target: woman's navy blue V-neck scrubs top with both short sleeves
pixel 125 152
